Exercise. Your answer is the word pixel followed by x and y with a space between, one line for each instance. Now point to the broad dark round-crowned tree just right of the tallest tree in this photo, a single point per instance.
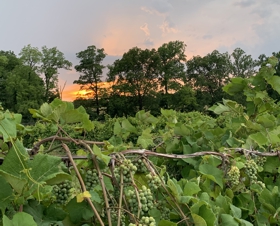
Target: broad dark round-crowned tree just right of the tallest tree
pixel 207 75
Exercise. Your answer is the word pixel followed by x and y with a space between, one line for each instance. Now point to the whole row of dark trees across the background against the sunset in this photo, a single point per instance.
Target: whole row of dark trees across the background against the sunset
pixel 148 79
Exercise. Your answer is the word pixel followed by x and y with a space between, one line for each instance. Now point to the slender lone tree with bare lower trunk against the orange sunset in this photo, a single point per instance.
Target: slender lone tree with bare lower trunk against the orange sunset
pixel 90 70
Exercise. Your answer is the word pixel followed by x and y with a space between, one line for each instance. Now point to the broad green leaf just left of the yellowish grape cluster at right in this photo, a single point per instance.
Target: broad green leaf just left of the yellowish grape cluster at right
pixel 212 173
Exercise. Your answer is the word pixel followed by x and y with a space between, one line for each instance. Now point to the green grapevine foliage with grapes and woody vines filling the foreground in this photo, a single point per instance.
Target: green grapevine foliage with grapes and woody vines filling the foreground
pixel 174 169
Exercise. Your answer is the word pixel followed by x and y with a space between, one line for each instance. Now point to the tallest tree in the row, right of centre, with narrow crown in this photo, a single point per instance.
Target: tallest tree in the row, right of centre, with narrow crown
pixel 171 66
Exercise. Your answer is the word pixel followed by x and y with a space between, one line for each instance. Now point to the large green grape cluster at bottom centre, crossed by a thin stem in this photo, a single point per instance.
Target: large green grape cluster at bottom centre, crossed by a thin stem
pixel 146 200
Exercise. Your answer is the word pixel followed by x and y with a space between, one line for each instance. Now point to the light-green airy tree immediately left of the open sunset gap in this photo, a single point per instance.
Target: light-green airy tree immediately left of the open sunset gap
pixel 52 60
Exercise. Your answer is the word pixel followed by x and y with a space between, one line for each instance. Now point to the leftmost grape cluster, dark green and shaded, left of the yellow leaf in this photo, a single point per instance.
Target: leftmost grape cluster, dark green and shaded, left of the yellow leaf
pixel 62 192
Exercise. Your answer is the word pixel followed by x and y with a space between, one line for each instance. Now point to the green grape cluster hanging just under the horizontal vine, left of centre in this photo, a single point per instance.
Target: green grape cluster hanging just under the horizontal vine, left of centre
pixel 127 169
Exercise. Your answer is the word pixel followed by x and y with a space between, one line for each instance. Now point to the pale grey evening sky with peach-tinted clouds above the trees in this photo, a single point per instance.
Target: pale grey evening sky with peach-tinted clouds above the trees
pixel 119 25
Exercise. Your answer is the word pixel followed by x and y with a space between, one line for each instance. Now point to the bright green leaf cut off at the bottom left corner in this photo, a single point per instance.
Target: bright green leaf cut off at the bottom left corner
pixel 19 219
